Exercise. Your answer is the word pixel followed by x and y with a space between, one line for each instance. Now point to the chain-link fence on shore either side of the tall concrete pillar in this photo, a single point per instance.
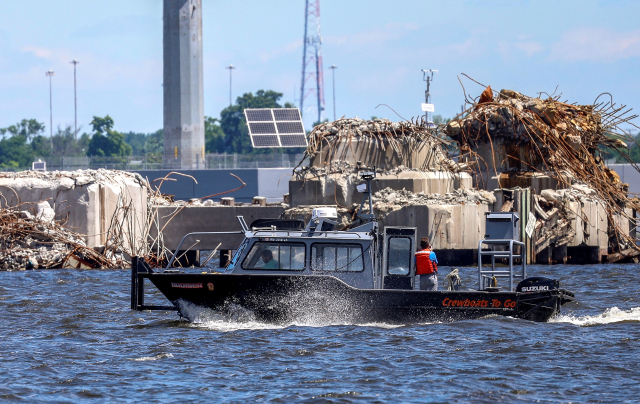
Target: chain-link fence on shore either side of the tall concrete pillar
pixel 155 162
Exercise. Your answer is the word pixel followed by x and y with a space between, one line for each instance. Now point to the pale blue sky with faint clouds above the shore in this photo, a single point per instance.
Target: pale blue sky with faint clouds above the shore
pixel 582 48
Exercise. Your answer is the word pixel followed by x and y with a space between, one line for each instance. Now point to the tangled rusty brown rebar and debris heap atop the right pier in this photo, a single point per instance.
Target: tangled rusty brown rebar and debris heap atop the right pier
pixel 545 135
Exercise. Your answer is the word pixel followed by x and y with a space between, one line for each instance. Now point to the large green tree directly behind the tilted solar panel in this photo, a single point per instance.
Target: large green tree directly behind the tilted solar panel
pixel 234 125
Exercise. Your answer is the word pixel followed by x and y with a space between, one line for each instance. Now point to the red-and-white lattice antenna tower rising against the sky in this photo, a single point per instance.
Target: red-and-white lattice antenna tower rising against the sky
pixel 312 77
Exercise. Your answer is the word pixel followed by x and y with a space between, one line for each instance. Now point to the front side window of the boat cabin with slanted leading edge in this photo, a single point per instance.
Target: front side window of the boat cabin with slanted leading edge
pixel 275 256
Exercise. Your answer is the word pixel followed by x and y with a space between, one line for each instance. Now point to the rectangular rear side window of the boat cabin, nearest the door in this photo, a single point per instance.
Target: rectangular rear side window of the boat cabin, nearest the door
pixel 337 257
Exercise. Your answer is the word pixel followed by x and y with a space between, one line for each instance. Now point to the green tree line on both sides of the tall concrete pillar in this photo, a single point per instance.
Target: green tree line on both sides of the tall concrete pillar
pixel 22 143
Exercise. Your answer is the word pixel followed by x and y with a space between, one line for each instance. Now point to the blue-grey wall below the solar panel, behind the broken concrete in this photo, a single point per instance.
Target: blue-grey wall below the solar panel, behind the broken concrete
pixel 271 183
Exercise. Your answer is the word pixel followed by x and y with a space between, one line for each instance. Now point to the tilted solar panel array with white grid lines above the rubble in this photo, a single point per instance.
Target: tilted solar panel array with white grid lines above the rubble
pixel 276 127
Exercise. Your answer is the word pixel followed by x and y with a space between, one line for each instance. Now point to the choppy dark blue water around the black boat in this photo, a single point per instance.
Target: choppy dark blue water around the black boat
pixel 69 336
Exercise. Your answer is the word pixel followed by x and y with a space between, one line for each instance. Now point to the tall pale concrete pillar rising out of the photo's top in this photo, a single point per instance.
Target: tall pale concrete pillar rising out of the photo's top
pixel 183 85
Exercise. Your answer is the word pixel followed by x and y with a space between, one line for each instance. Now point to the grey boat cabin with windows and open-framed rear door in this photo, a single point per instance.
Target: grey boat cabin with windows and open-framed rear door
pixel 359 257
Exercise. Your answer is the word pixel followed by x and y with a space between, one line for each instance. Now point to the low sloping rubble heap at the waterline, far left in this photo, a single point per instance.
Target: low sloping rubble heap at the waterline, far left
pixel 34 240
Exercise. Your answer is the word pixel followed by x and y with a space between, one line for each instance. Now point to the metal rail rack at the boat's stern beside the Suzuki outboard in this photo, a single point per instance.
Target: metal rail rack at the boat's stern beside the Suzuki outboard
pixel 485 276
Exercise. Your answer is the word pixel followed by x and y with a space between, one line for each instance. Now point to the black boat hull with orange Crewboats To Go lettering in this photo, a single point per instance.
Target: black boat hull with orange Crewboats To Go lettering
pixel 283 299
